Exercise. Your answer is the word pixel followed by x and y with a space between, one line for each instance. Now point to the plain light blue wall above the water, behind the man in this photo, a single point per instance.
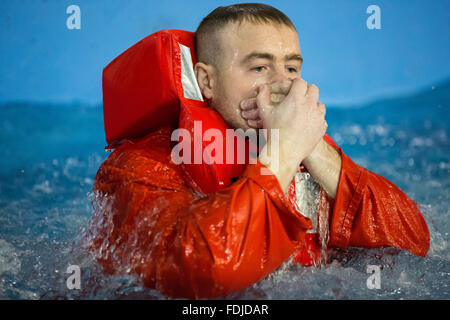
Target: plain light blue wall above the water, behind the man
pixel 43 61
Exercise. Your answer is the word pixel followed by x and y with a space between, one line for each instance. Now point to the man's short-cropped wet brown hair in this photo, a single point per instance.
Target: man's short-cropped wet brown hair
pixel 206 44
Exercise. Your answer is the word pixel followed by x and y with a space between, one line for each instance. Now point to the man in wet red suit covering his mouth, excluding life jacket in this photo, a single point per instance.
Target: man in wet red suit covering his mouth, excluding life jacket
pixel 249 71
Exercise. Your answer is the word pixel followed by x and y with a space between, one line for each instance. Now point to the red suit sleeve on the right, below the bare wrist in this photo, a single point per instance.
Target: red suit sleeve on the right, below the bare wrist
pixel 370 211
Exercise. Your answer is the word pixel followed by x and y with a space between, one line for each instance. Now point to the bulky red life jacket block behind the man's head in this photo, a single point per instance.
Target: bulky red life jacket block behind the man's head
pixel 142 87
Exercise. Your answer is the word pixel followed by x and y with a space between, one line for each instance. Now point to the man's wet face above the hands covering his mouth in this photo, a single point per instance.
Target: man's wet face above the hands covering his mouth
pixel 252 55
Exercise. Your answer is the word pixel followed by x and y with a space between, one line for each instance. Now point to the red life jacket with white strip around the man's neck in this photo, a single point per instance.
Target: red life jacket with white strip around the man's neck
pixel 152 84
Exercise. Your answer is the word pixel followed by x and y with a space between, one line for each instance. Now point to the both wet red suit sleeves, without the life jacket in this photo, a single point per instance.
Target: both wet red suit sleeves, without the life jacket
pixel 190 246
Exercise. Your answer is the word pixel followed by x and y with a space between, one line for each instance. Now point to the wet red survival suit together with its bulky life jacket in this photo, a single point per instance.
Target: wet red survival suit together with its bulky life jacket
pixel 206 230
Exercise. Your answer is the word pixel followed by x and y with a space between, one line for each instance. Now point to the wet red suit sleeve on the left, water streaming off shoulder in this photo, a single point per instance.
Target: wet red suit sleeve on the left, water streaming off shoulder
pixel 183 245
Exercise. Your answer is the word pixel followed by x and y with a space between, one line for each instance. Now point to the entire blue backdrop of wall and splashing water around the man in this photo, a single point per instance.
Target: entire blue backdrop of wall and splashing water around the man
pixel 52 138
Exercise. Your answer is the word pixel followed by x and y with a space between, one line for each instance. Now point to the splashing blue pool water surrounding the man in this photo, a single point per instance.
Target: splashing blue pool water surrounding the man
pixel 50 155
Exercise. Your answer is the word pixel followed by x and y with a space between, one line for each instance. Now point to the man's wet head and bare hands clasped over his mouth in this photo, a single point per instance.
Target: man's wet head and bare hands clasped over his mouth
pixel 237 63
